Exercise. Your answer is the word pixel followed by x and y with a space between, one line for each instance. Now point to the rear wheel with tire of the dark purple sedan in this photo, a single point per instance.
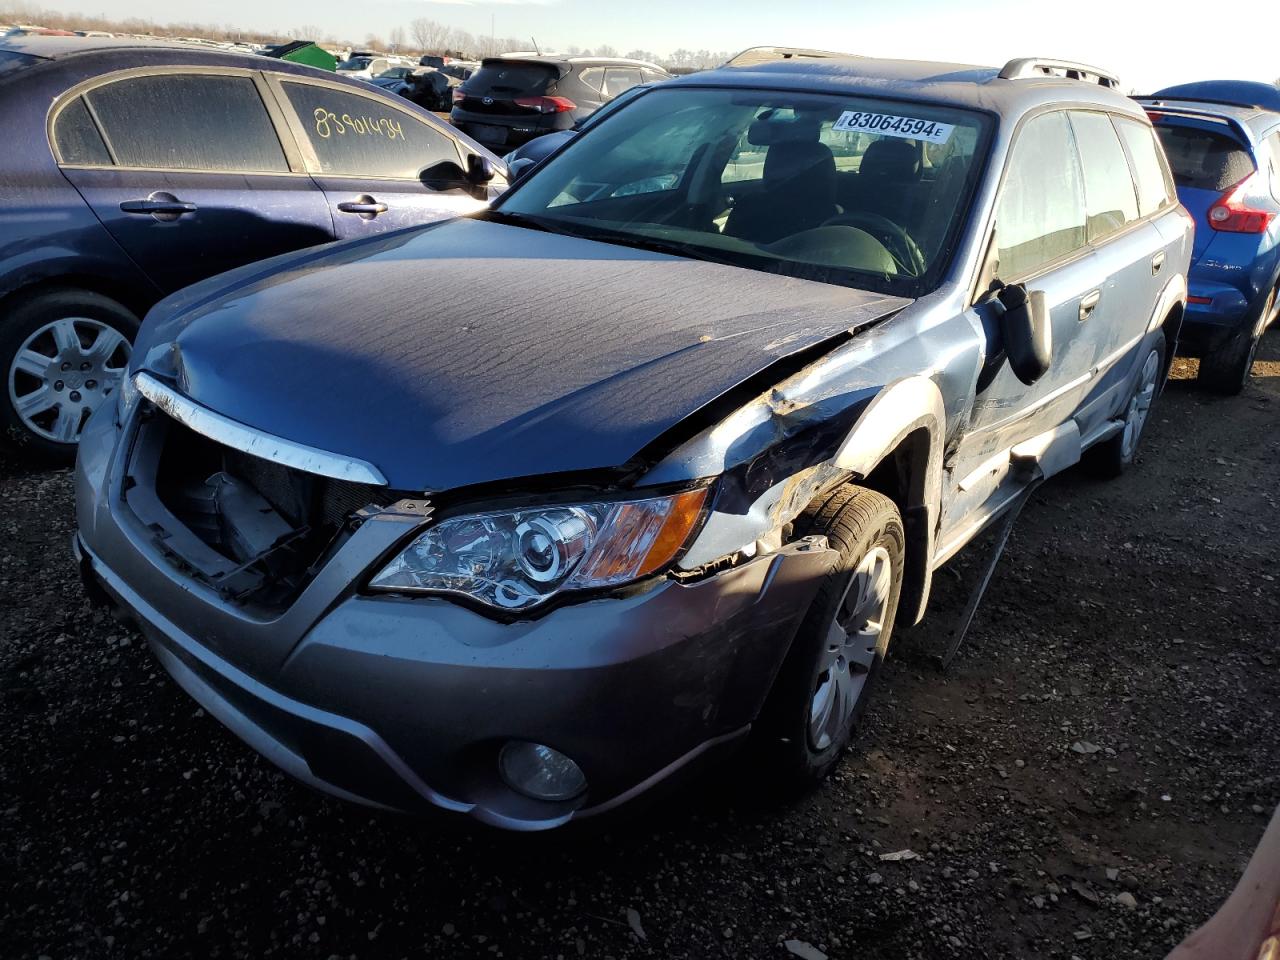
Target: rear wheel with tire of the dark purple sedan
pixel 63 354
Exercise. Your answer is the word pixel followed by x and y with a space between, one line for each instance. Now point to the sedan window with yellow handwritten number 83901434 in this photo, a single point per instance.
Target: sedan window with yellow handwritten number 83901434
pixel 359 136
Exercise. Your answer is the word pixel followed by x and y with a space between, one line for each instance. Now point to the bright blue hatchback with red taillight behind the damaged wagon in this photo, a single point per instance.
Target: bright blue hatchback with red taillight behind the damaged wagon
pixel 1223 141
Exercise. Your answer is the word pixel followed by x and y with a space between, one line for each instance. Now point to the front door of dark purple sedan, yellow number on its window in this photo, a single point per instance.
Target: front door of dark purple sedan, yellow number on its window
pixel 380 166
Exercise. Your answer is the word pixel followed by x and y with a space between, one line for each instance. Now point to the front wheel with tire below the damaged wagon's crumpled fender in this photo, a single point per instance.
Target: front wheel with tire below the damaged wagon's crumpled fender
pixel 826 680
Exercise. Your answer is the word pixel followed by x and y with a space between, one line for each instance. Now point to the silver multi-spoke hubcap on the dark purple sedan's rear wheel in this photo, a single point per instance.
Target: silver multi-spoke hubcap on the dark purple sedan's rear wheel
pixel 63 373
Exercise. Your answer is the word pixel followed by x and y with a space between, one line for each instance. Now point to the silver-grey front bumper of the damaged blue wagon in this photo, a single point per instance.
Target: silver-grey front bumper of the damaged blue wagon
pixel 405 703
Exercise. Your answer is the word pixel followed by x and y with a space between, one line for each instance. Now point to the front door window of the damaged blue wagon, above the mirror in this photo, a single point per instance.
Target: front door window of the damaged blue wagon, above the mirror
pixel 1041 212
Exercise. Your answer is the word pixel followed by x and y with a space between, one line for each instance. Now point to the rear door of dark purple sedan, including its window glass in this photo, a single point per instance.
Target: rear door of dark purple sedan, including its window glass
pixel 188 171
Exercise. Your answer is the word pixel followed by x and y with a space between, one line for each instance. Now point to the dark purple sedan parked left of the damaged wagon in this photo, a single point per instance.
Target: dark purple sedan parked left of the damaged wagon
pixel 135 168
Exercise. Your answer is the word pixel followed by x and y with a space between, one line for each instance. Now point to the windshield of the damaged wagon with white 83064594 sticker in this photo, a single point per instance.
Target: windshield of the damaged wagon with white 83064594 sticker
pixel 857 191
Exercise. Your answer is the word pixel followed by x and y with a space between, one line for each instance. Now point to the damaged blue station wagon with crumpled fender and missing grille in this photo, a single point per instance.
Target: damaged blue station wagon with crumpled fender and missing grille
pixel 644 463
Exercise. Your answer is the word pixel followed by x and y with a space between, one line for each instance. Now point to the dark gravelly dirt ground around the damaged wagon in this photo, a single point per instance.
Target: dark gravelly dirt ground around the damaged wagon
pixel 1135 621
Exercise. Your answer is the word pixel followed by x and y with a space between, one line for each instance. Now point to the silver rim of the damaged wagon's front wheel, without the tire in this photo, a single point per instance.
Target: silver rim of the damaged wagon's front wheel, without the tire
pixel 852 646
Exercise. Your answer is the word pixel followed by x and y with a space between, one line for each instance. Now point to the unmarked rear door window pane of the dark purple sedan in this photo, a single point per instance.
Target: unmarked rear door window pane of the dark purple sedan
pixel 189 122
